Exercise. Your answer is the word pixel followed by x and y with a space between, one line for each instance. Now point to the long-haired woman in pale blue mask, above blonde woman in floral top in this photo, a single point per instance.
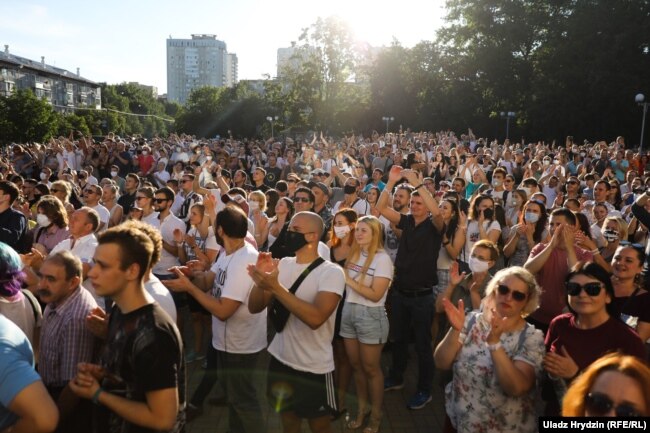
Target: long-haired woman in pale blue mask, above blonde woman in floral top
pixel 530 231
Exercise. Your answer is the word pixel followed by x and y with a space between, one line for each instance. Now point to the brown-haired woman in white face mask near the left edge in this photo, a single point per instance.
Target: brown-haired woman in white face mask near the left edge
pixel 52 220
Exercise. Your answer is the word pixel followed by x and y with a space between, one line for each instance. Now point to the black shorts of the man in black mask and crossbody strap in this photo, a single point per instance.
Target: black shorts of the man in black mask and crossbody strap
pixel 308 395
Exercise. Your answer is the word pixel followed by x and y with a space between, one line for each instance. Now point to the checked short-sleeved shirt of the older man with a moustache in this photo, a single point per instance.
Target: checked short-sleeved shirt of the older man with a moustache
pixel 65 339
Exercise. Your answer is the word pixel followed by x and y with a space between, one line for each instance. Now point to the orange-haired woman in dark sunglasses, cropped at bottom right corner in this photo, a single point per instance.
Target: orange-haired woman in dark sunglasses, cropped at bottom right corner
pixel 614 385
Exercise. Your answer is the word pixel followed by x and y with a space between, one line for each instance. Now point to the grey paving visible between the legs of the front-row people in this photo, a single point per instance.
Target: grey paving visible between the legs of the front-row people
pixel 397 418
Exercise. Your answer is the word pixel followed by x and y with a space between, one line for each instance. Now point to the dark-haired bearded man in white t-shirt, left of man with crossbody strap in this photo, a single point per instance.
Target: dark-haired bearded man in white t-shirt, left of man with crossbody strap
pixel 237 335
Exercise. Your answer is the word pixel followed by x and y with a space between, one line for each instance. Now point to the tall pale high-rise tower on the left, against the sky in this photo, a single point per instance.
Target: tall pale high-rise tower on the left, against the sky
pixel 197 62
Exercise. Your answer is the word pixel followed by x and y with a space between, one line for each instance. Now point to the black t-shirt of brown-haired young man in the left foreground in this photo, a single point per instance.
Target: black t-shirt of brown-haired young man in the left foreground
pixel 143 353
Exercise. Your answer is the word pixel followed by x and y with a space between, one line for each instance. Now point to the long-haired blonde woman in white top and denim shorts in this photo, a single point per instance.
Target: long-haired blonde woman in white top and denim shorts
pixel 364 325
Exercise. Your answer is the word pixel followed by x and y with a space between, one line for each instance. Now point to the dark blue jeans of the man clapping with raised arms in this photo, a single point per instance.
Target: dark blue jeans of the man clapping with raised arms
pixel 418 312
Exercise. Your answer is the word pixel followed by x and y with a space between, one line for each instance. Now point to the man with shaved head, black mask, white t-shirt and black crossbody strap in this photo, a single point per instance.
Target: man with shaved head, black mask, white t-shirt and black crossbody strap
pixel 300 380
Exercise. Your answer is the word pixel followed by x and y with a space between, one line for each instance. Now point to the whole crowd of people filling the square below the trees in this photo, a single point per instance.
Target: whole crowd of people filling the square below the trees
pixel 518 270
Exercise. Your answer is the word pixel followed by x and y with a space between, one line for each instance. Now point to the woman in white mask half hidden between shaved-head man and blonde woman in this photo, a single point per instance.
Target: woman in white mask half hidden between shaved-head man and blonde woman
pixel 341 240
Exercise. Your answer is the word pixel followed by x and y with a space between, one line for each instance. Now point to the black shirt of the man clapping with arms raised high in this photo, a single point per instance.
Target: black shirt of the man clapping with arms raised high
pixel 416 263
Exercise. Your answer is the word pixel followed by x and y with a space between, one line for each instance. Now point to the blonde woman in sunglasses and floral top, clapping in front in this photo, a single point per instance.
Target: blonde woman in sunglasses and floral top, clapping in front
pixel 496 358
